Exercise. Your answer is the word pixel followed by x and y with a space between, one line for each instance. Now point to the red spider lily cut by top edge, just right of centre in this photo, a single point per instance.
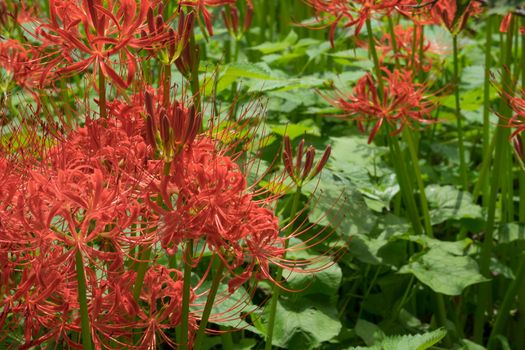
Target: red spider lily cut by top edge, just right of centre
pixel 352 13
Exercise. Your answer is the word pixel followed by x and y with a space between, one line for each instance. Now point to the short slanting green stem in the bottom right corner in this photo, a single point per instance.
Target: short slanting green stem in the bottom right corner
pixel 508 302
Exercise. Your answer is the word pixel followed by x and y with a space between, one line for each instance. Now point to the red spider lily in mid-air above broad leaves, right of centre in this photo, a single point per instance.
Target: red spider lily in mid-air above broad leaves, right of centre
pixel 403 102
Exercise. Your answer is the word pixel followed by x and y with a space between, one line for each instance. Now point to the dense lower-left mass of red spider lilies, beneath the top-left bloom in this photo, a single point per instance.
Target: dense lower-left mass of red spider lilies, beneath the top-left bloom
pixel 103 193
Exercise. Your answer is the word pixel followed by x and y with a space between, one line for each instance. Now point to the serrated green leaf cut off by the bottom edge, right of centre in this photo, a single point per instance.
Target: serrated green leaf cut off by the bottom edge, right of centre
pixel 413 342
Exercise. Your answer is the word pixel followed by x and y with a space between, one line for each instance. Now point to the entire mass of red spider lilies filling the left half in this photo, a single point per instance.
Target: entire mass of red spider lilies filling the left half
pixel 100 223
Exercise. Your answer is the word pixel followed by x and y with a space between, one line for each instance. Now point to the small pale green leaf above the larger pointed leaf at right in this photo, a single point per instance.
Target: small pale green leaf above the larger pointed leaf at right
pixel 449 203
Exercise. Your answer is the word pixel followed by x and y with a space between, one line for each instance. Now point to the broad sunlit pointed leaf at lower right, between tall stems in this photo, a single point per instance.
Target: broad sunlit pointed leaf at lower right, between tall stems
pixel 444 272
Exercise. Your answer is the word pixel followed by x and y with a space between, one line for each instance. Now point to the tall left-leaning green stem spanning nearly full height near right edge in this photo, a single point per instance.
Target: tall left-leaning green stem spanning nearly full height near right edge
pixel 500 166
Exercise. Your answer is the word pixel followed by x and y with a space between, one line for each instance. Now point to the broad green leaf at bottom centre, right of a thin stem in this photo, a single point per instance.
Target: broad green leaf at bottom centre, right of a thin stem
pixel 301 326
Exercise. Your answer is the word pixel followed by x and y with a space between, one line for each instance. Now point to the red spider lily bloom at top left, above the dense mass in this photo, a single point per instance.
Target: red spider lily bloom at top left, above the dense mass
pixel 85 33
